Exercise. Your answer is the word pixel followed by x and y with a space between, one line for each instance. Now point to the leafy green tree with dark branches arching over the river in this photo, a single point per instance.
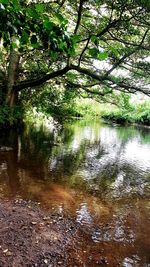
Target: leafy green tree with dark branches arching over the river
pixel 94 47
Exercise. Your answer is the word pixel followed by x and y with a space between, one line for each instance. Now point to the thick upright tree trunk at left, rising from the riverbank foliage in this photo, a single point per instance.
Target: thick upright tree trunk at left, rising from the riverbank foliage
pixel 12 95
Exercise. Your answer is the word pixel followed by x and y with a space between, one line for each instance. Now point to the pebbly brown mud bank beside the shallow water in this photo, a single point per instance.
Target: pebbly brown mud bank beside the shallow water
pixel 32 237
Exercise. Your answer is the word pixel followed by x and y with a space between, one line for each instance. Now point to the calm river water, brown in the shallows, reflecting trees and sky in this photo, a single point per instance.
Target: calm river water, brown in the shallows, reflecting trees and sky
pixel 96 174
